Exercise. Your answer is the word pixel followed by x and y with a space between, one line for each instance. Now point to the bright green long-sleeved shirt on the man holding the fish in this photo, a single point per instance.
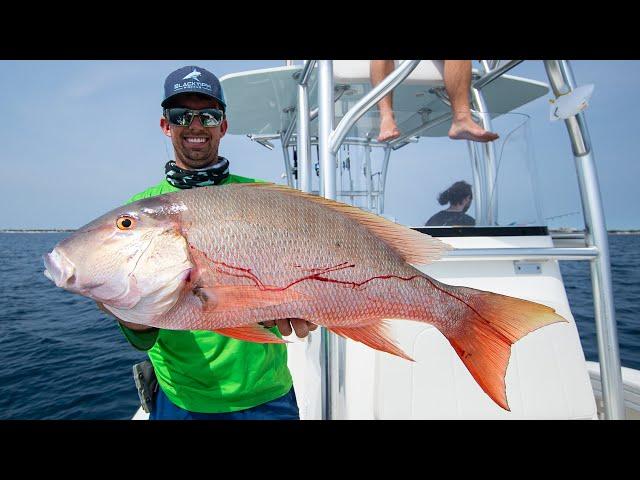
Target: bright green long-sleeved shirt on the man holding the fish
pixel 202 371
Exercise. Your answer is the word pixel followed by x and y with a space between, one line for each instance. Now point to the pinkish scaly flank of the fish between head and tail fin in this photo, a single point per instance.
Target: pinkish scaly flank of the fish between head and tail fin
pixel 281 239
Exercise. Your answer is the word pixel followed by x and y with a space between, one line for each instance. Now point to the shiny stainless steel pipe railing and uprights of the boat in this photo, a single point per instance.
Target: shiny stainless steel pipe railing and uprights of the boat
pixel 596 249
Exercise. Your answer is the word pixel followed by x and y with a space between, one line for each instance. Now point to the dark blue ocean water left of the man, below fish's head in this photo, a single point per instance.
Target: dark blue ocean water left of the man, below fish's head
pixel 60 357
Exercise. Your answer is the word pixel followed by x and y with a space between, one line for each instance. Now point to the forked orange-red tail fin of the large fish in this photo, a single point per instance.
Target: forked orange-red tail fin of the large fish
pixel 486 327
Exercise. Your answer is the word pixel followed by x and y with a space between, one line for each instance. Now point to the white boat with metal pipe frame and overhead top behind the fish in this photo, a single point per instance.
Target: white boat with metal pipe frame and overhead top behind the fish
pixel 331 105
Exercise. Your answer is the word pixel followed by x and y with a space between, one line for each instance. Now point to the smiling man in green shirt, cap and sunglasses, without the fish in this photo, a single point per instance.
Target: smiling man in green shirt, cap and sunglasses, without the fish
pixel 202 374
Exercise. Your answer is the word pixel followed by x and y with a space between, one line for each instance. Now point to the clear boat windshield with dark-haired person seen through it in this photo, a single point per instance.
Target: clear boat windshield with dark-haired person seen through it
pixel 432 180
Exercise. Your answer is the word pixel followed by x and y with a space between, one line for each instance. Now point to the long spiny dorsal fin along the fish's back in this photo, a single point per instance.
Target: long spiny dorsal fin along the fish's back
pixel 412 246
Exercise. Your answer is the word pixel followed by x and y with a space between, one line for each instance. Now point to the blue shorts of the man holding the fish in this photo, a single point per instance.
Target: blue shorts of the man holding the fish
pixel 282 408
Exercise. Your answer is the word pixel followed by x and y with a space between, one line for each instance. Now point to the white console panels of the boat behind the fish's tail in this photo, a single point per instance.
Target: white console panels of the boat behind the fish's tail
pixel 547 375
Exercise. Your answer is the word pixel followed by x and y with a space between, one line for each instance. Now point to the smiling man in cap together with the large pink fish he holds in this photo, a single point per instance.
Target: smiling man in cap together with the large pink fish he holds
pixel 209 268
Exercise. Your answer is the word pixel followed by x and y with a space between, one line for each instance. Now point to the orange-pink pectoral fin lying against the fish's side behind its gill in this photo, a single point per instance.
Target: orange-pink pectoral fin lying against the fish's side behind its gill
pixel 226 298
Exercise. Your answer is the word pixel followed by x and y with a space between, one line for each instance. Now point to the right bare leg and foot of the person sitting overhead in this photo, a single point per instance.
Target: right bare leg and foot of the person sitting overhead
pixel 457 81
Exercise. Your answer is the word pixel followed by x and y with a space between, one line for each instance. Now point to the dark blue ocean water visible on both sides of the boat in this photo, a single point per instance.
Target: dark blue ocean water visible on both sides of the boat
pixel 61 358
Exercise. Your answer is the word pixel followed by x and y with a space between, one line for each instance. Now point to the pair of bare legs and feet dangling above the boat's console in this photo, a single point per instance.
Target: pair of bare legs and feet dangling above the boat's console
pixel 457 82
